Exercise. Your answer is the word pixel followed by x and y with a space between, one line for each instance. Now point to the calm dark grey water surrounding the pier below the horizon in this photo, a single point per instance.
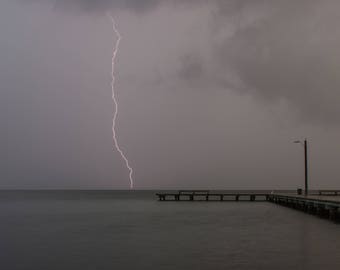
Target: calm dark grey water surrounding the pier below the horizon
pixel 132 230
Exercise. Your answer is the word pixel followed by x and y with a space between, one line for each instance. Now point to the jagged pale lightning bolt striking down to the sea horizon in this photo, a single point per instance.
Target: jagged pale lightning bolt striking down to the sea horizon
pixel 115 141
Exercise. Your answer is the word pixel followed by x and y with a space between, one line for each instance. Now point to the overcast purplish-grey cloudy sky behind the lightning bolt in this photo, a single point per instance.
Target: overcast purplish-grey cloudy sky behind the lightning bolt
pixel 211 93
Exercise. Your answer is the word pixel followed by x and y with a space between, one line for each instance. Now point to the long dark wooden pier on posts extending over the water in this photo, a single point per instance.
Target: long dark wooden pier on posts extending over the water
pixel 326 205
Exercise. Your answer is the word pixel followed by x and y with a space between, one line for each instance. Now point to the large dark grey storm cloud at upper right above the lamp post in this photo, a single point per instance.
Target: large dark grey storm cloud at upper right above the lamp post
pixel 292 53
